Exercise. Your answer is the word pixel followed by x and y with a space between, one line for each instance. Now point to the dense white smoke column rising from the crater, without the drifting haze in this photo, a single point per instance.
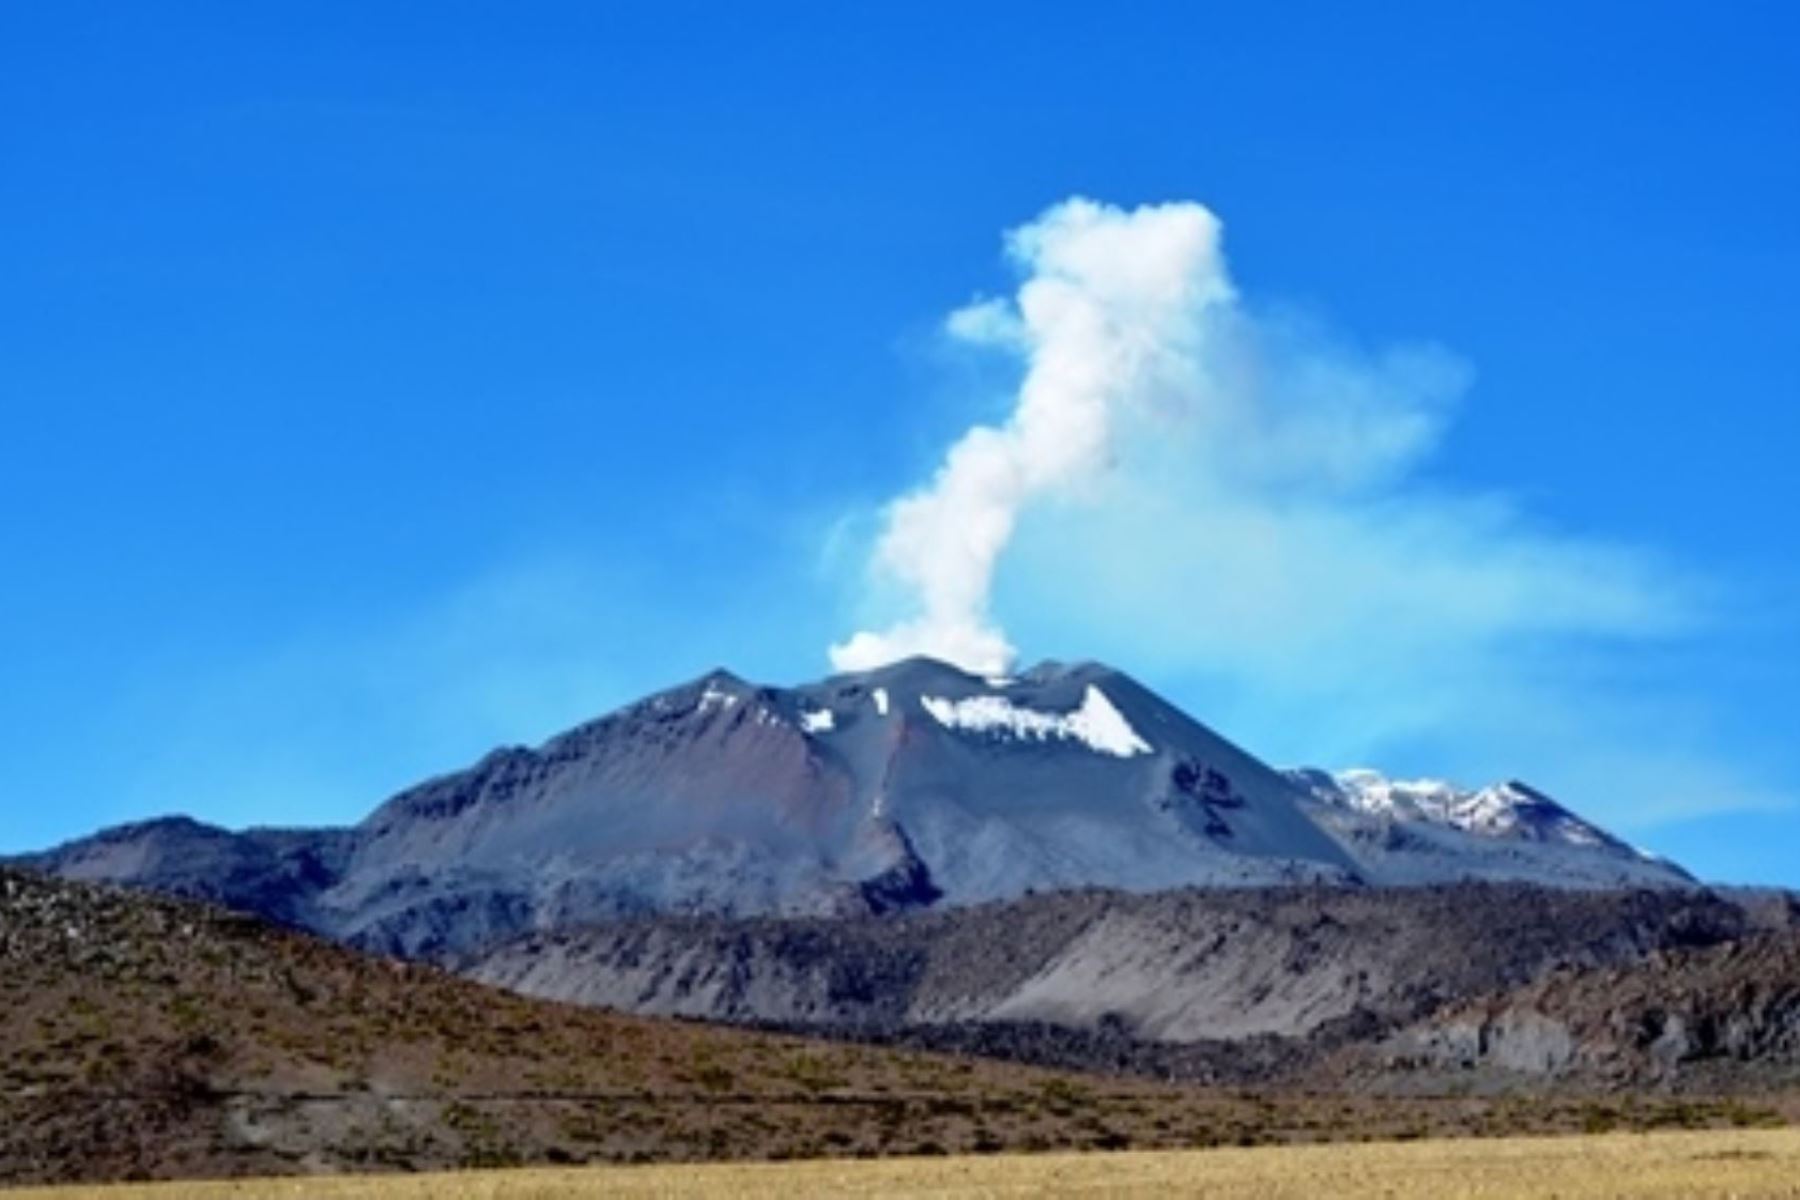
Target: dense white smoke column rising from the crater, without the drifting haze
pixel 1111 314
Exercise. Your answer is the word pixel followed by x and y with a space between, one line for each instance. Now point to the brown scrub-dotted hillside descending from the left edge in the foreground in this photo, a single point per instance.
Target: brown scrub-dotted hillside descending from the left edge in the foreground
pixel 154 1039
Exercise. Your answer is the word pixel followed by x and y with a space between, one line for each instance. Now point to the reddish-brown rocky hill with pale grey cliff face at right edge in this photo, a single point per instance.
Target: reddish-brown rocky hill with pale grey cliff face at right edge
pixel 1709 1016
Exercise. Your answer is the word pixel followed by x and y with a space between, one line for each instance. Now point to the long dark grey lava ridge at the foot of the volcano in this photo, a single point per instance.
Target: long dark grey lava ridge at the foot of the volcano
pixel 1180 967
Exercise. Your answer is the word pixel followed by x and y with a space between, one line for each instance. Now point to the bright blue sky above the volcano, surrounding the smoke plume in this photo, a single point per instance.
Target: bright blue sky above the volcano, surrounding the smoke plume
pixel 386 382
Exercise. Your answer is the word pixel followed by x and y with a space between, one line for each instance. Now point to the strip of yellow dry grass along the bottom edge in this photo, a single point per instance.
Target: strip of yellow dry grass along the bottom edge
pixel 1729 1163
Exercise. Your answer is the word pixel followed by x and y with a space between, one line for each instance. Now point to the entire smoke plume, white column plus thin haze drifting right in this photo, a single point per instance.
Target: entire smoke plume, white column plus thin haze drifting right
pixel 1234 499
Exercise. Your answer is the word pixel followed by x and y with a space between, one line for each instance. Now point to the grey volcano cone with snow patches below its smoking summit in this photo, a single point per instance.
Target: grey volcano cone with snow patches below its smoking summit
pixel 888 791
